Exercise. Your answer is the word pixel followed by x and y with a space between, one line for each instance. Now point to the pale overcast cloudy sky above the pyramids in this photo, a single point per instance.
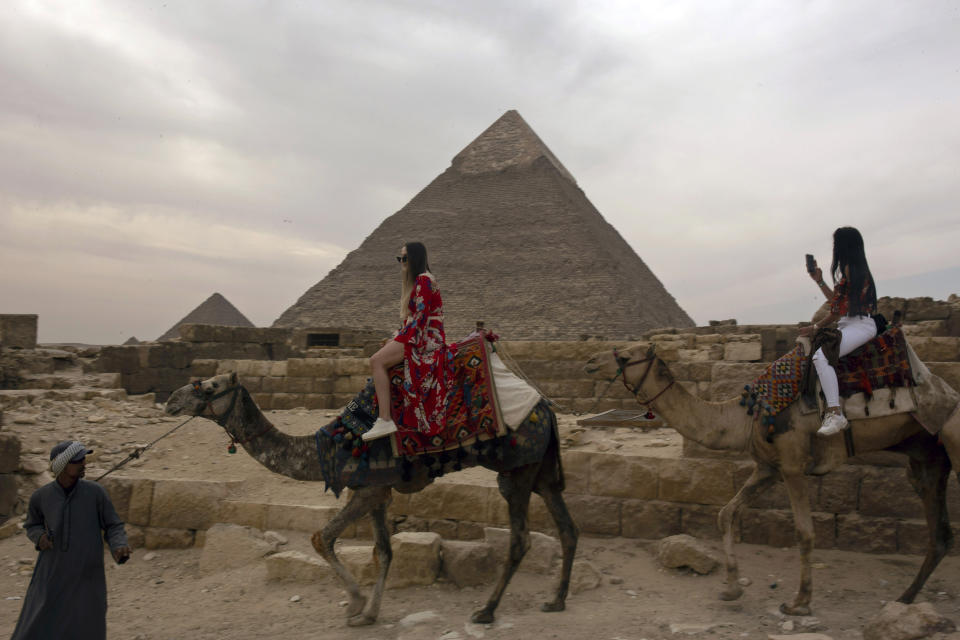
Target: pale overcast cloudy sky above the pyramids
pixel 152 153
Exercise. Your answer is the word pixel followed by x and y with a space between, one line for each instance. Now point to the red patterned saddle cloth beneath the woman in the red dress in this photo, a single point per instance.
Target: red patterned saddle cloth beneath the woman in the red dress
pixel 473 412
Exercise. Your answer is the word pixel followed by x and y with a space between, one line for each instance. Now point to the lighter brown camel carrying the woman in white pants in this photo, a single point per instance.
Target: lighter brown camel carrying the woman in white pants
pixel 792 455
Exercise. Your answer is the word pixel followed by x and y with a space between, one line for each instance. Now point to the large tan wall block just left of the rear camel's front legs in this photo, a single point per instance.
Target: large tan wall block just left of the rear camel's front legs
pixel 701 481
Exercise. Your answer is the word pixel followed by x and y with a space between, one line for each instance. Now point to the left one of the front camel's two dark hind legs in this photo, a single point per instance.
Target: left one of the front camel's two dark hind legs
pixel 515 486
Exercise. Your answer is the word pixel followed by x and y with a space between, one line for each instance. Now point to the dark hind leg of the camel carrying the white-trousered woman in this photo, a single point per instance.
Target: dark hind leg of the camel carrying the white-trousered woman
pixel 930 480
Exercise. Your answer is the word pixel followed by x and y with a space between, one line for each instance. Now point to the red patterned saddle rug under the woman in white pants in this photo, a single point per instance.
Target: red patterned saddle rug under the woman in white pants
pixel 882 363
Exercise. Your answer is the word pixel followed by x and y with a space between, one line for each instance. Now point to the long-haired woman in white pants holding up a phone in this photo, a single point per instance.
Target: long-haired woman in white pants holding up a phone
pixel 853 301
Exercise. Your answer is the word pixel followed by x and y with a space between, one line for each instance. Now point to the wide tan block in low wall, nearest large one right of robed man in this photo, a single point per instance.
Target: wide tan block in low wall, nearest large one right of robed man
pixel 187 504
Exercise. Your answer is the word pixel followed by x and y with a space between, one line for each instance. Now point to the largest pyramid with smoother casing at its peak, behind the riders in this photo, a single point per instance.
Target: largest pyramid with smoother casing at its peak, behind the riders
pixel 513 241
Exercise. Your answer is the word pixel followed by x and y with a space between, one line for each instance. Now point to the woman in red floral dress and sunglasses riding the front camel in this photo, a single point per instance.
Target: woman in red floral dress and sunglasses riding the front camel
pixel 421 345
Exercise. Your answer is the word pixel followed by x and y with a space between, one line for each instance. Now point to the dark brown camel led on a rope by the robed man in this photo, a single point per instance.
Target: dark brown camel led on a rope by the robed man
pixel 224 400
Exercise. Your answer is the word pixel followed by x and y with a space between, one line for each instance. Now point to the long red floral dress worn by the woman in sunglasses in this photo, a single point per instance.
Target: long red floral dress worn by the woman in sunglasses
pixel 425 362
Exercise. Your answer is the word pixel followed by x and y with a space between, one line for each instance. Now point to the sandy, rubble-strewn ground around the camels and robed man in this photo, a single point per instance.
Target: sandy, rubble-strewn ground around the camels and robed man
pixel 167 597
